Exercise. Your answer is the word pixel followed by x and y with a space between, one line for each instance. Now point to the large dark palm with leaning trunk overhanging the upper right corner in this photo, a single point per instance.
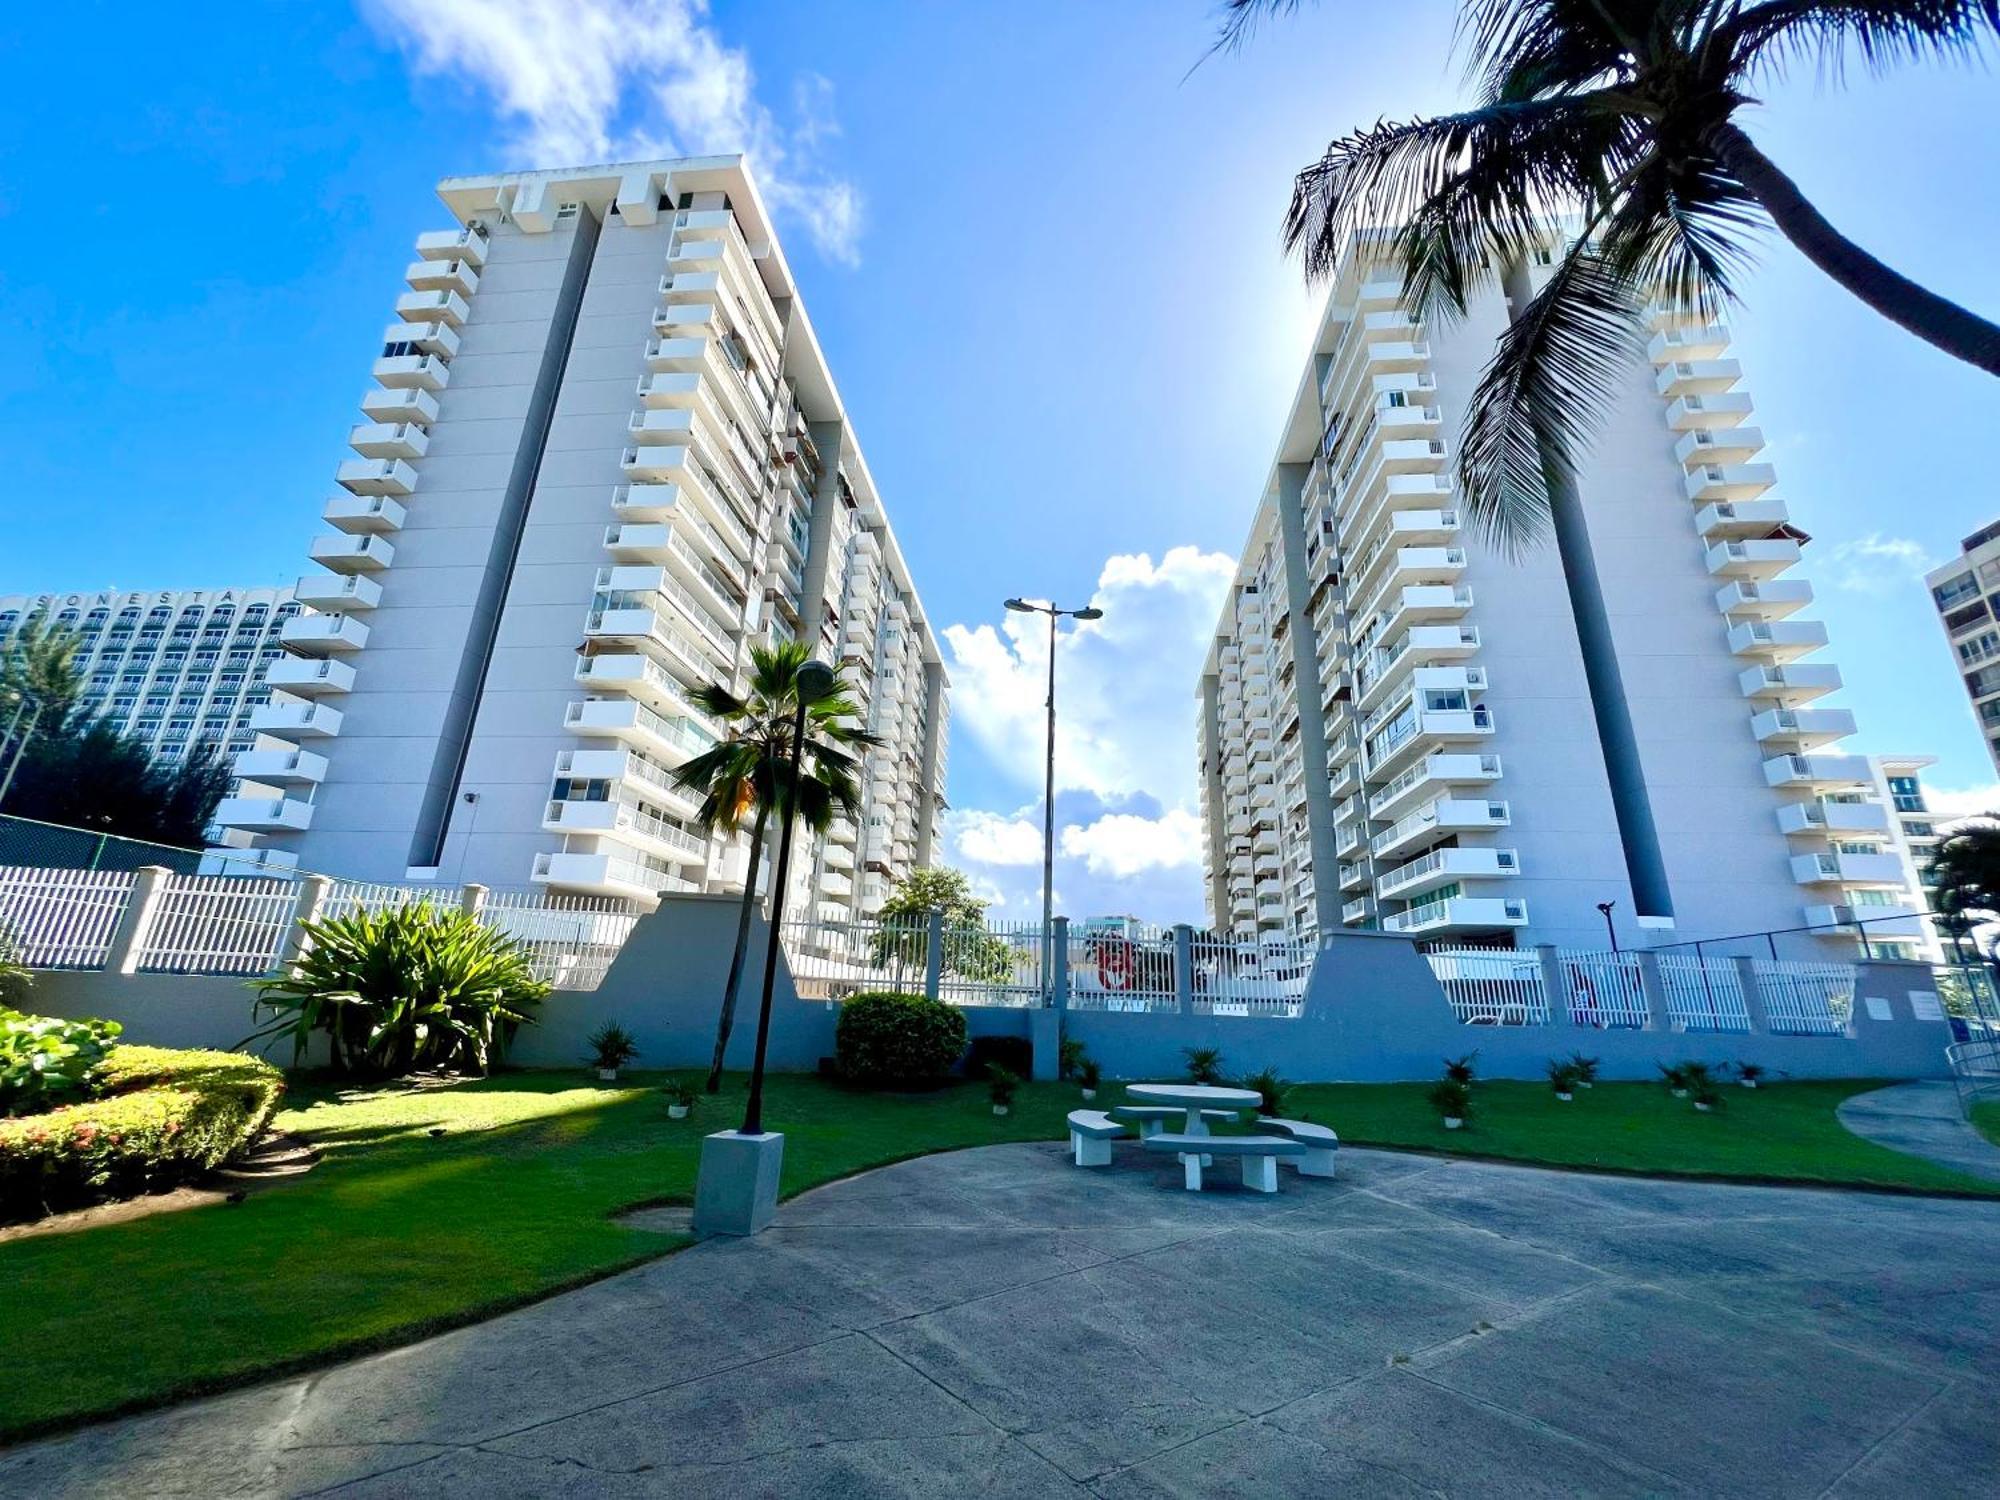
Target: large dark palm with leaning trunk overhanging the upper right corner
pixel 1621 113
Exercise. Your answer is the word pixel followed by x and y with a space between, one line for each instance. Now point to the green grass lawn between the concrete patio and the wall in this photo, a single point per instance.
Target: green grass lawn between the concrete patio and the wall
pixel 399 1233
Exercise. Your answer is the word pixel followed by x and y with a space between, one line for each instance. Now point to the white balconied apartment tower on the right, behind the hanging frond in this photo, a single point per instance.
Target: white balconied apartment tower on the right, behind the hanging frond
pixel 1393 721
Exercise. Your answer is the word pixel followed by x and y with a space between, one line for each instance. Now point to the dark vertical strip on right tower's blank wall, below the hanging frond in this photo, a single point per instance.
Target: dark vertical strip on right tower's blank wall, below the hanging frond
pixel 1623 771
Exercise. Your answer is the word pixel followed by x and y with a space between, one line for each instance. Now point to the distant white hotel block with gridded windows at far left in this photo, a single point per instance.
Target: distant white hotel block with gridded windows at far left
pixel 173 669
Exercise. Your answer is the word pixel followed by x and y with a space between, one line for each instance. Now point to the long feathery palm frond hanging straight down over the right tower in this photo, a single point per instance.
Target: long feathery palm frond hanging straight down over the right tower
pixel 1545 393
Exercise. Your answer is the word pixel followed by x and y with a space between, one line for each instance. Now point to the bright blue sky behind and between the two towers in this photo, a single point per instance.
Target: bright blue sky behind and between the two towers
pixel 1045 267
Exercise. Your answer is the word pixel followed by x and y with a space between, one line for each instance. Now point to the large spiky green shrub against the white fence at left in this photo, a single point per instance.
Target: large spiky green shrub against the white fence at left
pixel 415 987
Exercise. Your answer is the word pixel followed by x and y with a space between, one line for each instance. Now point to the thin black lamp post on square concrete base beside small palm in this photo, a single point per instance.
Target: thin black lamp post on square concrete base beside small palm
pixel 737 1187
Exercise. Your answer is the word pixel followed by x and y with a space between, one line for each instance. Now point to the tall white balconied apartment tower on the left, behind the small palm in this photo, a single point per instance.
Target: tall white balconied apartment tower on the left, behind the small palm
pixel 601 459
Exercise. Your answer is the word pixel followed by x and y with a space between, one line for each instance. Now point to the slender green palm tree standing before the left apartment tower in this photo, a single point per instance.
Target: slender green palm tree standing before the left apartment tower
pixel 745 777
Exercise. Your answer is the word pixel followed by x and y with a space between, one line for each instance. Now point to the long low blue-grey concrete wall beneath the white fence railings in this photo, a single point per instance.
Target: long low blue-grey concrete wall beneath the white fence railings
pixel 1373 1015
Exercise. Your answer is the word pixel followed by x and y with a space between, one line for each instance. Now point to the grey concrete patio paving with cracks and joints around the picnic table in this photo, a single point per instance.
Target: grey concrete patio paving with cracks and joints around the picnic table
pixel 1001 1325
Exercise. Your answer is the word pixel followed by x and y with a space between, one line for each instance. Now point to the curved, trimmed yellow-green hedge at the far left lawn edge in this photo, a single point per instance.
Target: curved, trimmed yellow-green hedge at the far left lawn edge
pixel 165 1117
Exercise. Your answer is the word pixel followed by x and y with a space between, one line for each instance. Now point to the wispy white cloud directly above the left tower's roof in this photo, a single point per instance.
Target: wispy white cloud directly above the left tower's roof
pixel 597 81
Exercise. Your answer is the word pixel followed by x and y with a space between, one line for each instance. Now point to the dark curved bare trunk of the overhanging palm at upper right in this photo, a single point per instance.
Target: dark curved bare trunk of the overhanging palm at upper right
pixel 1927 315
